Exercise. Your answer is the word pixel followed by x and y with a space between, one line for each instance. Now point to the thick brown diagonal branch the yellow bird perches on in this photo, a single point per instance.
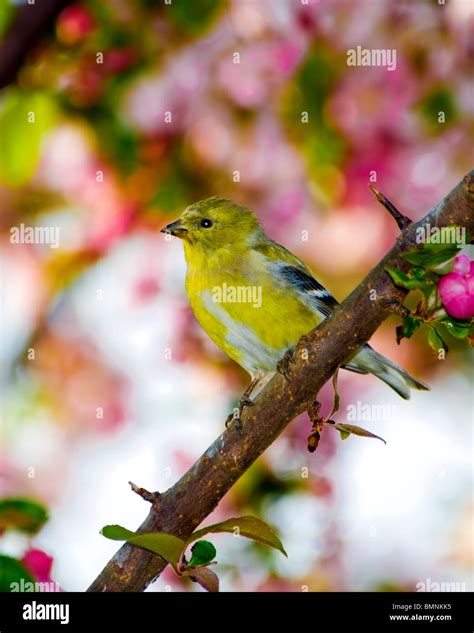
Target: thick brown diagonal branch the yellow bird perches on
pixel 183 507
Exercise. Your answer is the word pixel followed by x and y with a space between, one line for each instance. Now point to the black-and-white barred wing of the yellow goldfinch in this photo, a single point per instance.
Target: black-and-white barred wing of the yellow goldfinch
pixel 290 270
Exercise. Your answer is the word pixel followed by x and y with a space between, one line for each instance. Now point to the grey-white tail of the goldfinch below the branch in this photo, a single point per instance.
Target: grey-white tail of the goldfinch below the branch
pixel 370 361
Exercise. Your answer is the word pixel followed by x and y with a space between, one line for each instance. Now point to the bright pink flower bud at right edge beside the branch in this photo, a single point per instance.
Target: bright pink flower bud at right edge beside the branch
pixel 457 289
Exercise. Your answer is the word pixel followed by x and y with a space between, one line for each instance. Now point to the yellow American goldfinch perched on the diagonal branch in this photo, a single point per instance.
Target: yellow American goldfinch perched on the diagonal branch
pixel 254 298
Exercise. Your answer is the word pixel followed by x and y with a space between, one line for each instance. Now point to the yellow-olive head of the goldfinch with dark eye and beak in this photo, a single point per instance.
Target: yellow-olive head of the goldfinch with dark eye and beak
pixel 215 223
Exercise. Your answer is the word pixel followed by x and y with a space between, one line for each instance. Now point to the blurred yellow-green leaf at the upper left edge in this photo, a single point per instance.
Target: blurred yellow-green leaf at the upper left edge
pixel 24 119
